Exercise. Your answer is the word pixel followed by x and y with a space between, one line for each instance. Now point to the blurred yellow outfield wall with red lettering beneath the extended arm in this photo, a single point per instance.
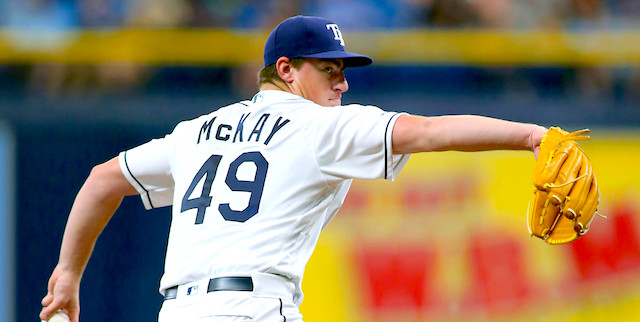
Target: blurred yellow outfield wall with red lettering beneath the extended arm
pixel 448 241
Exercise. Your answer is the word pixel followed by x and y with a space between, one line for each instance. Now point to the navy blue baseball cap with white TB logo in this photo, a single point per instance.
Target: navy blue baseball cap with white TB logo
pixel 309 37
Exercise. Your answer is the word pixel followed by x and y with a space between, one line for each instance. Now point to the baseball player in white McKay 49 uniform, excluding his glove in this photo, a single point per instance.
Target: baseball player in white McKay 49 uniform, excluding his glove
pixel 253 184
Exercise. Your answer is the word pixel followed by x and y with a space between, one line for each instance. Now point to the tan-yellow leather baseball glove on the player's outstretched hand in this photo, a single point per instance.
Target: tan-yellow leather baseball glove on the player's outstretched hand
pixel 566 194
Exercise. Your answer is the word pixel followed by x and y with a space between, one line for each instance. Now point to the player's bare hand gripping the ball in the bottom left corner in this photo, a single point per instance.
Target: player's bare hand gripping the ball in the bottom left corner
pixel 63 294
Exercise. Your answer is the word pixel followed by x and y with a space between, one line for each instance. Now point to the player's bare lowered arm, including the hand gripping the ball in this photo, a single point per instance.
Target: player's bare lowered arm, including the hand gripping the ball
pixel 94 205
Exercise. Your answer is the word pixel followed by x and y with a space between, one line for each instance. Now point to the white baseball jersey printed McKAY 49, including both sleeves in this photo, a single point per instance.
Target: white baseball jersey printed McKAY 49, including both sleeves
pixel 253 184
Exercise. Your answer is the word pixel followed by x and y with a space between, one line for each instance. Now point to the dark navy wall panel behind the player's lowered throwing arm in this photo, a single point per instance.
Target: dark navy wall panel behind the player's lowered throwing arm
pixel 121 280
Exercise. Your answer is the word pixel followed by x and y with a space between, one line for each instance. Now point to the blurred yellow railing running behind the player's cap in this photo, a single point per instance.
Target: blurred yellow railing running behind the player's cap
pixel 224 47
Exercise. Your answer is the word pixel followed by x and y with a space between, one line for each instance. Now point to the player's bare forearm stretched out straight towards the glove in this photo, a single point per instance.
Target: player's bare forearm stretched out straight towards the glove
pixel 412 134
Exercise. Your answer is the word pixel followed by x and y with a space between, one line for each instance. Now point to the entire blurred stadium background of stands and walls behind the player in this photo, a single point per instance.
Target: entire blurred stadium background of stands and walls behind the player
pixel 81 80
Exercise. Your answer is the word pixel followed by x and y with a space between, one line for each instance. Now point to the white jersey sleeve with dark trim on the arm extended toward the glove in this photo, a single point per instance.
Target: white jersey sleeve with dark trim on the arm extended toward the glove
pixel 355 142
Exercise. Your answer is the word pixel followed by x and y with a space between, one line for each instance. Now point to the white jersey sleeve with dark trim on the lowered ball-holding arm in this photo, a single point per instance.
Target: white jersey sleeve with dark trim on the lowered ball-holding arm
pixel 148 169
